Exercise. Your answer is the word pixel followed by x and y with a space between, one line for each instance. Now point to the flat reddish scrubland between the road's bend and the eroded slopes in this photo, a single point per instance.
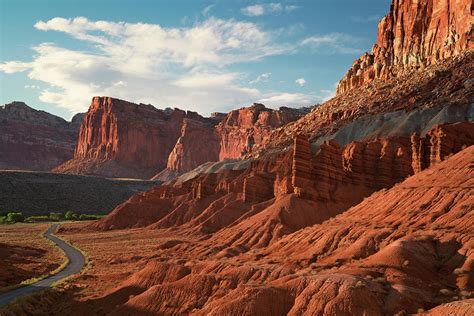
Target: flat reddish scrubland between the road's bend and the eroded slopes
pixel 111 255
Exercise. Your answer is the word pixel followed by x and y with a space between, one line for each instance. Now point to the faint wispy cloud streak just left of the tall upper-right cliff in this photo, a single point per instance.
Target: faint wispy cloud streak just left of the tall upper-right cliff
pixel 333 43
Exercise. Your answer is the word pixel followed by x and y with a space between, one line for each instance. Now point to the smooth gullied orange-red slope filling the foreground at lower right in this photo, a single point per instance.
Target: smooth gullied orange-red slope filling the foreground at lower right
pixel 400 251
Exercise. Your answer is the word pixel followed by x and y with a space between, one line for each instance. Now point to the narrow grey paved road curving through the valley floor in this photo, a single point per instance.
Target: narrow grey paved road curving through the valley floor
pixel 76 262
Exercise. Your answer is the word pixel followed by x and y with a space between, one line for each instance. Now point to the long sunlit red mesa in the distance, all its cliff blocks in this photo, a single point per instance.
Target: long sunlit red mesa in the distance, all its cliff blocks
pixel 123 139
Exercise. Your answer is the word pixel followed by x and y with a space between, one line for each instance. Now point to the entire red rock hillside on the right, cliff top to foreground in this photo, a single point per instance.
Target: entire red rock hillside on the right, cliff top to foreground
pixel 340 221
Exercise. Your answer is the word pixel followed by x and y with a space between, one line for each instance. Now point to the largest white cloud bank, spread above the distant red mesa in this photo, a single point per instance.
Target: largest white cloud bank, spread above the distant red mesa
pixel 148 63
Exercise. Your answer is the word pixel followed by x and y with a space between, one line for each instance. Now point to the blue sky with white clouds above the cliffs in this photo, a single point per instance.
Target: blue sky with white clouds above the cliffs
pixel 200 55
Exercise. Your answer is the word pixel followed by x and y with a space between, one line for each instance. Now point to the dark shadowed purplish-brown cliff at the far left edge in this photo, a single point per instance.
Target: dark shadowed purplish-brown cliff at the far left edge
pixel 35 140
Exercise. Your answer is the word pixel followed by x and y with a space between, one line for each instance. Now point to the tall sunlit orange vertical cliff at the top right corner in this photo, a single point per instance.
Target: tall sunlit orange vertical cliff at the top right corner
pixel 415 33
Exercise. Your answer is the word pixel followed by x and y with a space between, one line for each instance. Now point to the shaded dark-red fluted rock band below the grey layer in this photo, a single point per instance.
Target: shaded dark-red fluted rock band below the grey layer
pixel 333 179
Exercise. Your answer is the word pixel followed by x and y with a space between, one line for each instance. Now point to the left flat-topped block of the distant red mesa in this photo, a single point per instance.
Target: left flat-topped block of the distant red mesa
pixel 123 139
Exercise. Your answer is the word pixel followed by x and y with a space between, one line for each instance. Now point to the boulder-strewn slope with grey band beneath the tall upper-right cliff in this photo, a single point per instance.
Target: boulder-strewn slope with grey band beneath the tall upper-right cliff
pixel 442 93
